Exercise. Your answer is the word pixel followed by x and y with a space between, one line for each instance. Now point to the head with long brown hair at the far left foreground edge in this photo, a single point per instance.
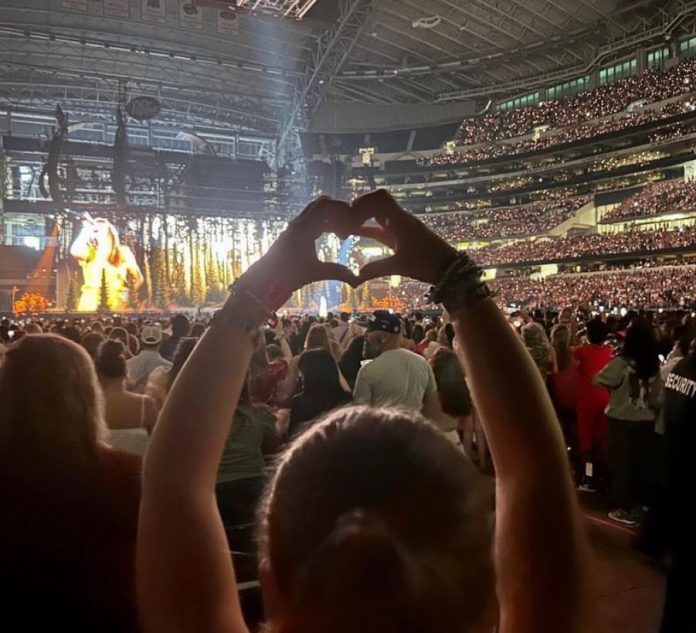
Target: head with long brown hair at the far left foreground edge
pixel 49 404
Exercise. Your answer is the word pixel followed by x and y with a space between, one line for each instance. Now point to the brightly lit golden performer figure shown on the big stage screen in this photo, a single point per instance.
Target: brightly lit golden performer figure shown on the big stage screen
pixel 96 249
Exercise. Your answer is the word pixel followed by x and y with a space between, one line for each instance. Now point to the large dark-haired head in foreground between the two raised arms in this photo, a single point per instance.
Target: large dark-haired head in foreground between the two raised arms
pixel 377 552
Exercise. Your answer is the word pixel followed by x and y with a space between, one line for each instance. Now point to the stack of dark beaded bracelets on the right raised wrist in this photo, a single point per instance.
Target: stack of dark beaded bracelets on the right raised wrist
pixel 462 285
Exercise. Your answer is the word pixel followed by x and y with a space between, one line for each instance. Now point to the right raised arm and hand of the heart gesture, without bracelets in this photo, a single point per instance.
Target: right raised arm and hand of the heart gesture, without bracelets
pixel 539 543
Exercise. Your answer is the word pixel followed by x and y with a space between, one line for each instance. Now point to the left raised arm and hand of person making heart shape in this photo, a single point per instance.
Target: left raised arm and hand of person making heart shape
pixel 185 577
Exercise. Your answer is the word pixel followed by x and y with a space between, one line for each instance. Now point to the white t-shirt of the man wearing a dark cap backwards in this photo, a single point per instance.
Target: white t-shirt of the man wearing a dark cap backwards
pixel 397 378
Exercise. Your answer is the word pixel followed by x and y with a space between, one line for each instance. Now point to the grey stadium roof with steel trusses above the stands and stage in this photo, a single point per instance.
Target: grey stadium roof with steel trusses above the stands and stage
pixel 269 72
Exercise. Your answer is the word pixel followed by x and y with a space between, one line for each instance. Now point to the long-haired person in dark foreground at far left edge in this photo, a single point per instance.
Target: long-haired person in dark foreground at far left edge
pixel 68 503
